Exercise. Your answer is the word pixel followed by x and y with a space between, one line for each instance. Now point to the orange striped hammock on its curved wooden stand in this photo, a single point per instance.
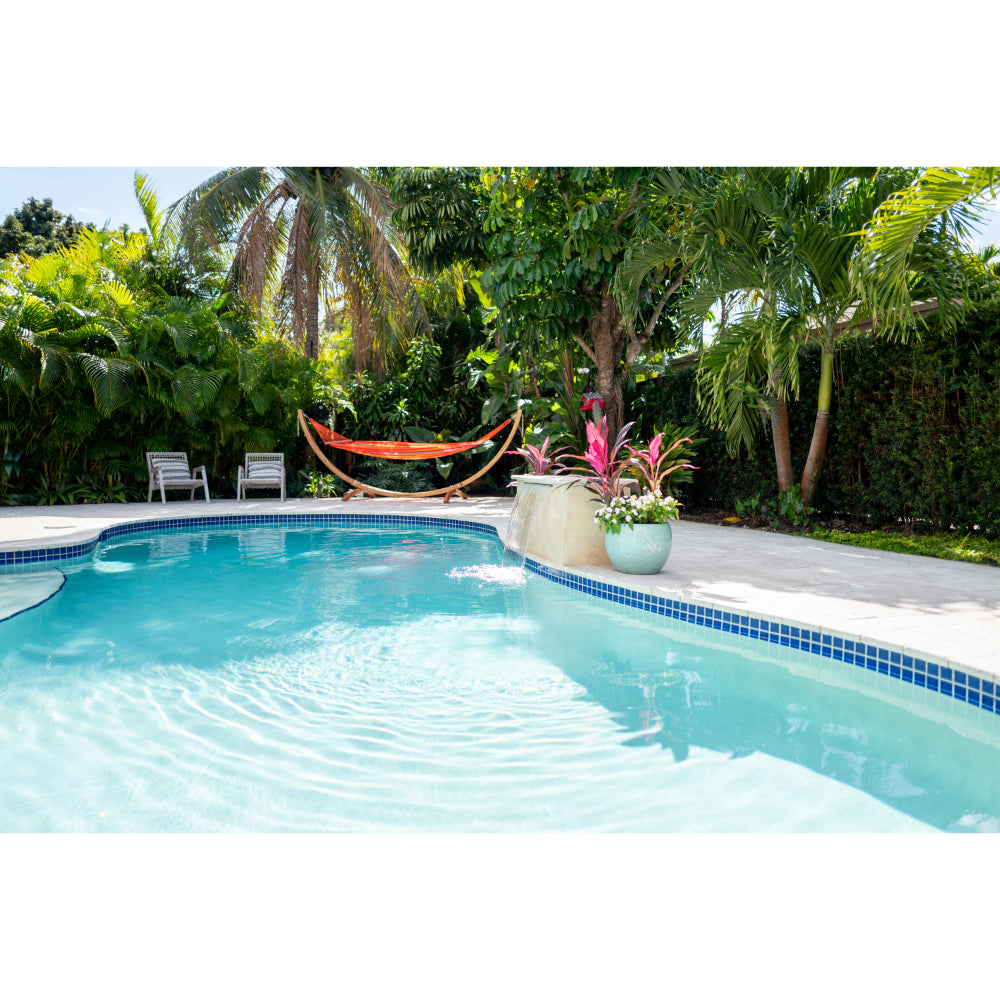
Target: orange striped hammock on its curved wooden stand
pixel 401 450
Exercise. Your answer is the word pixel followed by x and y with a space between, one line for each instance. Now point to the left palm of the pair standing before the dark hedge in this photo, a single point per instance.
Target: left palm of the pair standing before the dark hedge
pixel 713 226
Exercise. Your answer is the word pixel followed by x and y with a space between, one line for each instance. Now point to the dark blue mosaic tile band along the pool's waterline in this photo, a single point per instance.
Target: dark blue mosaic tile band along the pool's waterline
pixel 980 690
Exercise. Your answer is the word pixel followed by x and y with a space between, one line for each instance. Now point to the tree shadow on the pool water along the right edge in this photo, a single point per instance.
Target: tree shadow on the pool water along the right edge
pixel 662 684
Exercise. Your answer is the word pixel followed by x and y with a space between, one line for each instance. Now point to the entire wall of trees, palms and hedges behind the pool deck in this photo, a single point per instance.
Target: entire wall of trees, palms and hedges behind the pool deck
pixel 429 303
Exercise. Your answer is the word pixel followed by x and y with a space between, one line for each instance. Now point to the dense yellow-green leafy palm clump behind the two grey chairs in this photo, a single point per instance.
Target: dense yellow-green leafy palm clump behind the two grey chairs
pixel 112 347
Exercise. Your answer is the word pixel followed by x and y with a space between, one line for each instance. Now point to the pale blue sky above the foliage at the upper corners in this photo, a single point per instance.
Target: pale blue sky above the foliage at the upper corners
pixel 104 194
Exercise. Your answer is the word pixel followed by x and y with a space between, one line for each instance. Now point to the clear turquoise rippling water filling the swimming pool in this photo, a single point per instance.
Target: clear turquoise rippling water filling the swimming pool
pixel 370 679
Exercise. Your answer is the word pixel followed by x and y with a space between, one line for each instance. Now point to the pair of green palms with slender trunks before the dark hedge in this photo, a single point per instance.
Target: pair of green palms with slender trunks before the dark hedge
pixel 779 248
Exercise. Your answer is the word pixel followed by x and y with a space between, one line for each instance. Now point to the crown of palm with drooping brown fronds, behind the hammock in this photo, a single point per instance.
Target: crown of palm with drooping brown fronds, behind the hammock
pixel 302 234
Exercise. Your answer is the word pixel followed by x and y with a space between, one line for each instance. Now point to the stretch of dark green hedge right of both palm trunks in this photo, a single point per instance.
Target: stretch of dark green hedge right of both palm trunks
pixel 917 432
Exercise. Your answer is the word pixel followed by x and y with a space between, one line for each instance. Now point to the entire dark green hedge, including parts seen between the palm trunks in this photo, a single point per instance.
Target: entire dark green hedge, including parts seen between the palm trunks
pixel 914 443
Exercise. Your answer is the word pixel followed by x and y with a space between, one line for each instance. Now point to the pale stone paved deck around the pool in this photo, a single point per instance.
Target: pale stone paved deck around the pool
pixel 948 611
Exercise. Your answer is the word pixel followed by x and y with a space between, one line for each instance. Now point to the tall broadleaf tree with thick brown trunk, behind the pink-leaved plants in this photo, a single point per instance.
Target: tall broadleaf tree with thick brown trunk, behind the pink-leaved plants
pixel 557 237
